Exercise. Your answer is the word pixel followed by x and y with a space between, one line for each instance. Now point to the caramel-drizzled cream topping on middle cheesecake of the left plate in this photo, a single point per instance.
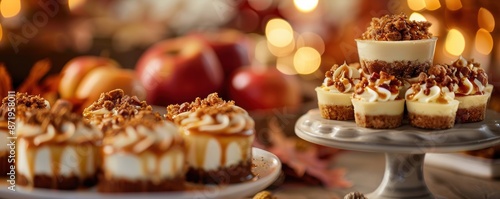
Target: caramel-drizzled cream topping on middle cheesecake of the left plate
pixel 137 137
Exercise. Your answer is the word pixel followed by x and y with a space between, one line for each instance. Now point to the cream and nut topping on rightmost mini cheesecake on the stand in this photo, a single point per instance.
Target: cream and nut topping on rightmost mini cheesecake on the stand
pixel 471 78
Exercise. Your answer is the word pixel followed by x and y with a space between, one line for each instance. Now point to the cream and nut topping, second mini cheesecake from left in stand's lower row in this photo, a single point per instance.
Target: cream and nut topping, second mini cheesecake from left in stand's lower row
pixel 379 87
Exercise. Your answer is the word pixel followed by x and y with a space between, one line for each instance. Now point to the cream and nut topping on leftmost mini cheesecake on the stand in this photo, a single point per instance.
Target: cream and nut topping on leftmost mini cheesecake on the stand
pixel 341 79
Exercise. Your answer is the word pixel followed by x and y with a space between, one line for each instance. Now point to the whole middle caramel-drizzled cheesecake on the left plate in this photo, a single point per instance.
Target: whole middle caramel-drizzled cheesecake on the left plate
pixel 146 154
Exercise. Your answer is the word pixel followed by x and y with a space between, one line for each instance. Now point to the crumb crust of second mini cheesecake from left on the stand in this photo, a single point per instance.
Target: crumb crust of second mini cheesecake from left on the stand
pixel 379 121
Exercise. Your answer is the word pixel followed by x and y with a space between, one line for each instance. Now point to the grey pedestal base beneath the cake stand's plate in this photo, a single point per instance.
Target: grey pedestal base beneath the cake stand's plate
pixel 403 178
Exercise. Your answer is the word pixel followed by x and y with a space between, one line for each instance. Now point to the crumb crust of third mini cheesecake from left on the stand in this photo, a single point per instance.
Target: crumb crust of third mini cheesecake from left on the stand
pixel 431 122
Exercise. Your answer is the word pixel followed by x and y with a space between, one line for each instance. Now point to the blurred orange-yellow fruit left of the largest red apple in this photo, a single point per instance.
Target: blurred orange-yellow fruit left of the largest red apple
pixel 84 78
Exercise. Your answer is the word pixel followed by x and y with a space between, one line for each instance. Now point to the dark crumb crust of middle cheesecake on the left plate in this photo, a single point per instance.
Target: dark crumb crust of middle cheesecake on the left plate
pixel 125 185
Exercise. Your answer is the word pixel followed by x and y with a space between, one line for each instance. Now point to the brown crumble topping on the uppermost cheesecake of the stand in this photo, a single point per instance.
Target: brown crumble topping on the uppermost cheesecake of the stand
pixel 396 28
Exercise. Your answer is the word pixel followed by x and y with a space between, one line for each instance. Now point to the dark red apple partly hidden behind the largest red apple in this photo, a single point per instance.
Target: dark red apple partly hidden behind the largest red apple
pixel 231 48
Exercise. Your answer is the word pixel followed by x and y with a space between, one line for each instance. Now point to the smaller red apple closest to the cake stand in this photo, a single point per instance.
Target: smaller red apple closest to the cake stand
pixel 264 89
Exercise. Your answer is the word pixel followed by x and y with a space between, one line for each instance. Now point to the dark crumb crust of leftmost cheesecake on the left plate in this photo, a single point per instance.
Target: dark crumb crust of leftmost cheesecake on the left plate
pixel 57 182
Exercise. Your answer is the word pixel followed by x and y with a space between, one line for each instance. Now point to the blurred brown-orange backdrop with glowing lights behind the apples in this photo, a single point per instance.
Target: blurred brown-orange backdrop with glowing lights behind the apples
pixel 298 37
